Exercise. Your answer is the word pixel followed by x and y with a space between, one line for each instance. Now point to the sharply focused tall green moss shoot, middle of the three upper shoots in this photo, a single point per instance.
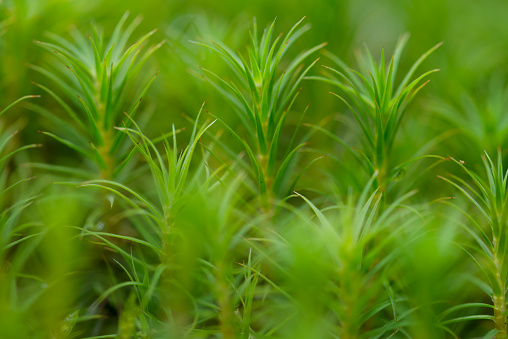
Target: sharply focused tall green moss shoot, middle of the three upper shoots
pixel 262 96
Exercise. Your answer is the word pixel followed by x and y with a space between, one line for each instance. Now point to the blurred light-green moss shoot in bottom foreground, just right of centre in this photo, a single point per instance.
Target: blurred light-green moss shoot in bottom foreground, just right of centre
pixel 340 272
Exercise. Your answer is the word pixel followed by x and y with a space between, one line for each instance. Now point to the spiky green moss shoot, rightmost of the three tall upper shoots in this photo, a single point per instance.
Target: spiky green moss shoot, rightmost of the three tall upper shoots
pixel 378 104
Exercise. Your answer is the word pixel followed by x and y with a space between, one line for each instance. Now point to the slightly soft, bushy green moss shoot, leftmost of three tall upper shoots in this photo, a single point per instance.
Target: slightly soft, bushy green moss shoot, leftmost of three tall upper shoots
pixel 96 92
